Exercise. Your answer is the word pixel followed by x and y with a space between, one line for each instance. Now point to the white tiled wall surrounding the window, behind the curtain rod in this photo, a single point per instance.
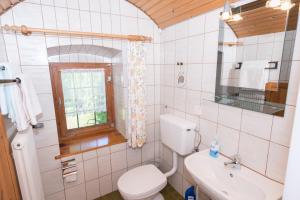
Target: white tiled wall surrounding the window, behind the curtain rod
pixel 98 170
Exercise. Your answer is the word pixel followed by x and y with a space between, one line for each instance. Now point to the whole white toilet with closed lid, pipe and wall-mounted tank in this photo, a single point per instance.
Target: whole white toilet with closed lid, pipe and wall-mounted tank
pixel 145 182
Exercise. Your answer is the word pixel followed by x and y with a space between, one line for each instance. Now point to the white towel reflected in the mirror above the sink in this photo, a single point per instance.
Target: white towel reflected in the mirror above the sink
pixel 254 75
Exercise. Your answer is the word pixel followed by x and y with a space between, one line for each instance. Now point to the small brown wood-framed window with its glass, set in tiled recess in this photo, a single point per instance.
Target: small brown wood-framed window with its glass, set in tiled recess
pixel 83 98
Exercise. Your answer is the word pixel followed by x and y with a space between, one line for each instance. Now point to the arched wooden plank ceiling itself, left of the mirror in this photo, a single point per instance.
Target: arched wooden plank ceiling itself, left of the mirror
pixel 168 12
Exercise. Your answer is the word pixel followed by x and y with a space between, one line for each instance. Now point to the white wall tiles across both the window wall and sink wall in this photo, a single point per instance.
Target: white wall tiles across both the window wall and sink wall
pixel 199 36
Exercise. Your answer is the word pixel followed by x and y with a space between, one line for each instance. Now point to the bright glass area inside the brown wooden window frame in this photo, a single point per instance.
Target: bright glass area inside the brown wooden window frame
pixel 84 97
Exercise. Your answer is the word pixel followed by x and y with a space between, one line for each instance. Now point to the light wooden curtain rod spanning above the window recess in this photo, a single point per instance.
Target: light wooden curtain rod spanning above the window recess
pixel 25 30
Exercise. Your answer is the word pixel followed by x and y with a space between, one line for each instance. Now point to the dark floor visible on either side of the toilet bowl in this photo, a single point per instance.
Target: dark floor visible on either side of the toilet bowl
pixel 168 192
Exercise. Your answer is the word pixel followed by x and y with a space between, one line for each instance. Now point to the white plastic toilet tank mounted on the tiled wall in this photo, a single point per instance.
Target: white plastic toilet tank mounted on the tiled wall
pixel 178 134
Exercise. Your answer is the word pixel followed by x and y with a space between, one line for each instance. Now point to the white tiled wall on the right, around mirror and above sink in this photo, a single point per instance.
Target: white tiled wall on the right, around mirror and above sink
pixel 256 137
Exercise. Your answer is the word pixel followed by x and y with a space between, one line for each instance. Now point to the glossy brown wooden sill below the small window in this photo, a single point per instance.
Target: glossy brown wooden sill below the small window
pixel 90 143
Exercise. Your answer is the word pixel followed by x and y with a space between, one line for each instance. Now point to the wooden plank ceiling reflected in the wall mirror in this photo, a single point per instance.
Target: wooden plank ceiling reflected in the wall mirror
pixel 259 20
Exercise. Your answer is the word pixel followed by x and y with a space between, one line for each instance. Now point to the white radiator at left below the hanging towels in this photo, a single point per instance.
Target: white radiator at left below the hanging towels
pixel 27 166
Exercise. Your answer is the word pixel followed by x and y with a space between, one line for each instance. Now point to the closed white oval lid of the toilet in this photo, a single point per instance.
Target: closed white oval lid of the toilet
pixel 141 182
